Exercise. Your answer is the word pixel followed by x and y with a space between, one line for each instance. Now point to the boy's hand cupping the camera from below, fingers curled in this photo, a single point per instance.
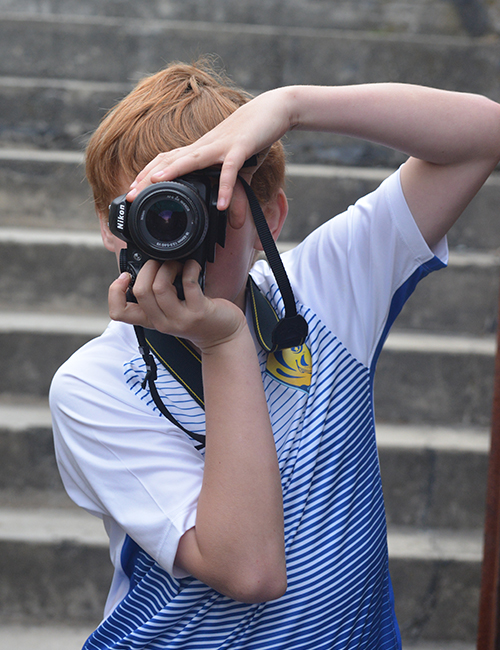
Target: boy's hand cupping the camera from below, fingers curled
pixel 204 321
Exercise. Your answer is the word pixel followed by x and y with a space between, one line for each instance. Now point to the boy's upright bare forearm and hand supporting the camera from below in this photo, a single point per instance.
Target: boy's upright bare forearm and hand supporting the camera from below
pixel 237 544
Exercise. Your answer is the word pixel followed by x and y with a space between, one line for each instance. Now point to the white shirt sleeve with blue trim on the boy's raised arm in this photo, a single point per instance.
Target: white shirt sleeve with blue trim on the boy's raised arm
pixel 349 270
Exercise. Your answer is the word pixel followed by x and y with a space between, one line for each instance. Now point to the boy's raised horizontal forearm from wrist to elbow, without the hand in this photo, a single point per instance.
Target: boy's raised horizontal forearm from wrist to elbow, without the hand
pixel 435 125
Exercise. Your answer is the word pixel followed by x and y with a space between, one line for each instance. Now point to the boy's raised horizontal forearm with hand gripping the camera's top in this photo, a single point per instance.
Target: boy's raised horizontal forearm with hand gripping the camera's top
pixel 436 126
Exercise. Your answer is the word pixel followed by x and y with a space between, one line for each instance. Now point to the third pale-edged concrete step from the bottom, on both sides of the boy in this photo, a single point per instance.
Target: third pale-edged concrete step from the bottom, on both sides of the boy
pixel 424 468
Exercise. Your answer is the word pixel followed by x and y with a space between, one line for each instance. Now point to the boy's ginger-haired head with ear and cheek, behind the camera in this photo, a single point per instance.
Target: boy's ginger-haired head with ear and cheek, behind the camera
pixel 171 109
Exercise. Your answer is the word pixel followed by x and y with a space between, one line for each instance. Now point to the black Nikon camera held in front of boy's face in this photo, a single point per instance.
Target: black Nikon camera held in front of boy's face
pixel 171 220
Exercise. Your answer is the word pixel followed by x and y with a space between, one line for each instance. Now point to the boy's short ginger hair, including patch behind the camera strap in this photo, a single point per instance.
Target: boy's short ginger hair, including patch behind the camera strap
pixel 167 110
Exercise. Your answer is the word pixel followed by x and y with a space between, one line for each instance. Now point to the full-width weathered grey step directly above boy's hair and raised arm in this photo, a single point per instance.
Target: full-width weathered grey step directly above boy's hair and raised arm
pixel 119 50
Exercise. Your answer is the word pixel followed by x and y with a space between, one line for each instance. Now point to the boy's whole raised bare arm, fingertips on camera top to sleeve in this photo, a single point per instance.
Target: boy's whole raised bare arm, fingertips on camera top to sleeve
pixel 453 140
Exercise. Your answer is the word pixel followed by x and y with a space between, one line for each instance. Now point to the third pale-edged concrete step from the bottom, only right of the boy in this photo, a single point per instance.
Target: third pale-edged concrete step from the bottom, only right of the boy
pixel 427 475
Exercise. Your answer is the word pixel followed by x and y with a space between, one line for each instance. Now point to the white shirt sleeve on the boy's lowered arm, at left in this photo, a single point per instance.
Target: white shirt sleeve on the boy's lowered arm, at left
pixel 119 458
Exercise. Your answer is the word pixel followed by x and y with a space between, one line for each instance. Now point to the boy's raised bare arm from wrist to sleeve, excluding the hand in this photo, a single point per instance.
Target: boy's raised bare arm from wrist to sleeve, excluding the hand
pixel 453 140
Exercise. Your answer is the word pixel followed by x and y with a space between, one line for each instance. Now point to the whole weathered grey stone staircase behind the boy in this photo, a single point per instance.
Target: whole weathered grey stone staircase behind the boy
pixel 64 63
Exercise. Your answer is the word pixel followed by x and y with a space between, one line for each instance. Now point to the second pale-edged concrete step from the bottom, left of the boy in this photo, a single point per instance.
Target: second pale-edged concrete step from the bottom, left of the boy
pixel 54 565
